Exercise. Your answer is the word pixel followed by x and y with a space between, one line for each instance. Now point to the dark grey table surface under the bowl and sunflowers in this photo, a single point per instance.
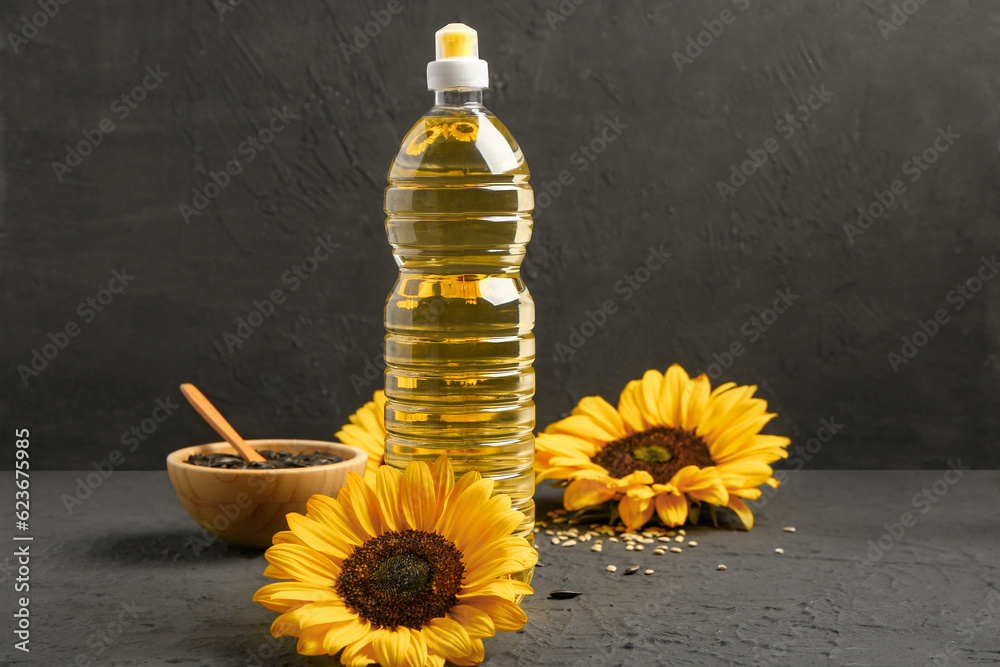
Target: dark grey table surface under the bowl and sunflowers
pixel 885 568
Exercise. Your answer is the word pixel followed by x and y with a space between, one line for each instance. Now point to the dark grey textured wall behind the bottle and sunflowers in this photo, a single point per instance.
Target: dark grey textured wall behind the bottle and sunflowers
pixel 562 73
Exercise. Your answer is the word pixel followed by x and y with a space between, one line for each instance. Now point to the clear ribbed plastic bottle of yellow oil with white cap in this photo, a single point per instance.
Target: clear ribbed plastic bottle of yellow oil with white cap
pixel 459 348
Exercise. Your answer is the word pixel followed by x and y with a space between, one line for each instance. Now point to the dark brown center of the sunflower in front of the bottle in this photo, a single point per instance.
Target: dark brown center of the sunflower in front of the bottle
pixel 405 577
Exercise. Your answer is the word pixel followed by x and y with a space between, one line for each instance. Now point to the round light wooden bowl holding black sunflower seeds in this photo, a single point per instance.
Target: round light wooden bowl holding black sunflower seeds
pixel 247 507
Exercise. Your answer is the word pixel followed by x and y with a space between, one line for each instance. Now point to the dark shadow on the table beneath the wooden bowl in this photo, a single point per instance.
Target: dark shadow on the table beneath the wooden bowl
pixel 166 546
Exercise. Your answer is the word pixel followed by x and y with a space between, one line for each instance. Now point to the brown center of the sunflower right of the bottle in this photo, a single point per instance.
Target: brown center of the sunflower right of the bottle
pixel 659 451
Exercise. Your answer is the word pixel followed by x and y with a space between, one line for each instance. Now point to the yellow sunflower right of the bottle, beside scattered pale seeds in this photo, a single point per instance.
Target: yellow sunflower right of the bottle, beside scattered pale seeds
pixel 672 441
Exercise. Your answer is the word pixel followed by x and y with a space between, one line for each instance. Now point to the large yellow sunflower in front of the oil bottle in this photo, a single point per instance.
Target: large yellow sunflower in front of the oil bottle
pixel 411 571
